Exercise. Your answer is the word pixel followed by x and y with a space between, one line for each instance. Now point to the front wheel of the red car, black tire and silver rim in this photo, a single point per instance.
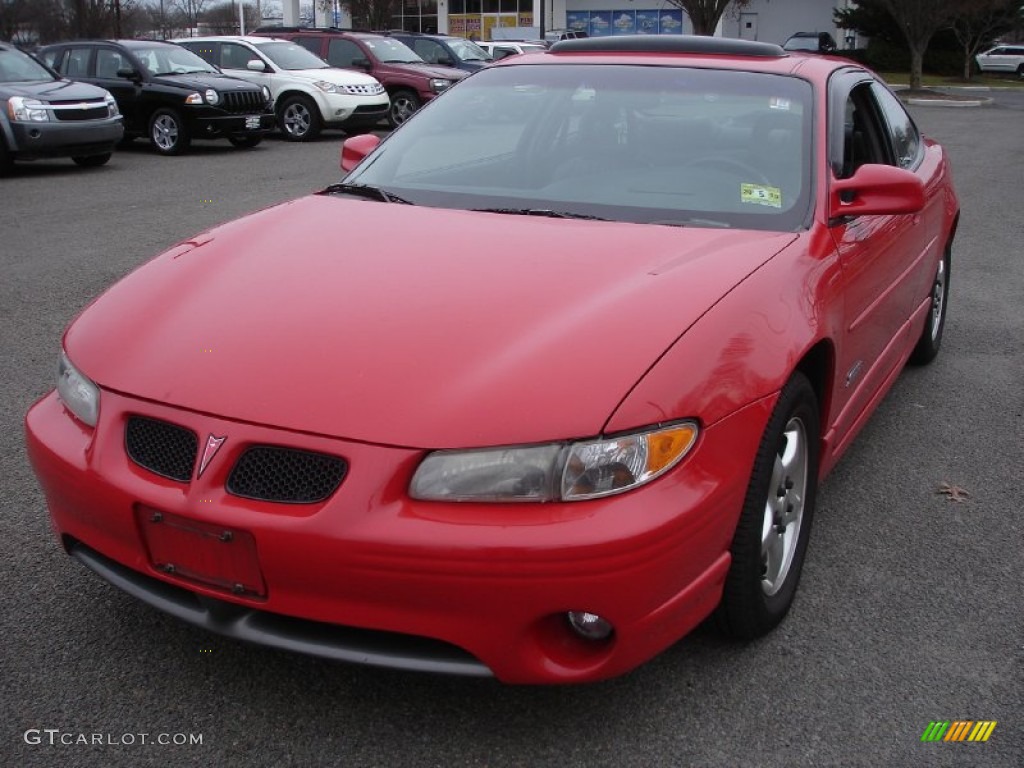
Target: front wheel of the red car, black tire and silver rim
pixel 772 539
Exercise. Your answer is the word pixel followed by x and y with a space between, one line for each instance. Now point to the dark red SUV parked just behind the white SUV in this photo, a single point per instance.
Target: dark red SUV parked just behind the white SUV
pixel 410 81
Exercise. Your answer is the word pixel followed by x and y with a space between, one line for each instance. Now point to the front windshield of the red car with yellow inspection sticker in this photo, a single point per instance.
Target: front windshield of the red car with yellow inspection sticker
pixel 655 145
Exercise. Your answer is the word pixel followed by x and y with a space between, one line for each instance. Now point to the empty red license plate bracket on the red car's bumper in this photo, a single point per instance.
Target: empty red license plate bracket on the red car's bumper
pixel 212 556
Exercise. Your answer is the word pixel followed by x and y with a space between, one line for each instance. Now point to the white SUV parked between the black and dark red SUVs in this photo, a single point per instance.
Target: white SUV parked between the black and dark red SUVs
pixel 309 95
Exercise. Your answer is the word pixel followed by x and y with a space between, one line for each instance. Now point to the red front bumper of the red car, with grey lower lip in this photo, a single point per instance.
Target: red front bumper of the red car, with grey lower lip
pixel 492 582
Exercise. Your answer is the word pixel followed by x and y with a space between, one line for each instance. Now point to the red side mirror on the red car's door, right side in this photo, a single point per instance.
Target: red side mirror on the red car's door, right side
pixel 874 191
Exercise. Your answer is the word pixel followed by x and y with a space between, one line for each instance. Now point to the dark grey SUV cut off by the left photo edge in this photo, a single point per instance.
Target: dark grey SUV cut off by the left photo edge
pixel 42 116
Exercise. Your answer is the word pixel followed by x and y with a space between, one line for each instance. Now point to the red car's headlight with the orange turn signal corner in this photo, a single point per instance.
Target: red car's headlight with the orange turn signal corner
pixel 563 472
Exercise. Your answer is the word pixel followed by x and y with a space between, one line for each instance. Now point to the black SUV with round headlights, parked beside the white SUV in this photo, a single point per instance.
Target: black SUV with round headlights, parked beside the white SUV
pixel 166 93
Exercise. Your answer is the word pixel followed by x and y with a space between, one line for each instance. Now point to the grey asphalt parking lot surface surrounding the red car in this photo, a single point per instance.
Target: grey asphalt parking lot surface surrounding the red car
pixel 910 610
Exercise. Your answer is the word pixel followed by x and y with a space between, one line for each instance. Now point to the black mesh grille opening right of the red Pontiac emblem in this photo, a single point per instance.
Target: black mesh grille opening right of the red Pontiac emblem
pixel 273 474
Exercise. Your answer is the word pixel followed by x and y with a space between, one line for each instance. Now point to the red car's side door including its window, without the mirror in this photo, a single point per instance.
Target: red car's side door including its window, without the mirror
pixel 880 257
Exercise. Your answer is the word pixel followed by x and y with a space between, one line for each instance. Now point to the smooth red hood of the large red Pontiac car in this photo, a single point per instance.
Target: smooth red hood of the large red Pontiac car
pixel 409 326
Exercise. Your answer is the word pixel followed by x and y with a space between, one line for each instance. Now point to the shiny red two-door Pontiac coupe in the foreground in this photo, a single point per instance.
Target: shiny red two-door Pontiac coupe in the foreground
pixel 658 286
